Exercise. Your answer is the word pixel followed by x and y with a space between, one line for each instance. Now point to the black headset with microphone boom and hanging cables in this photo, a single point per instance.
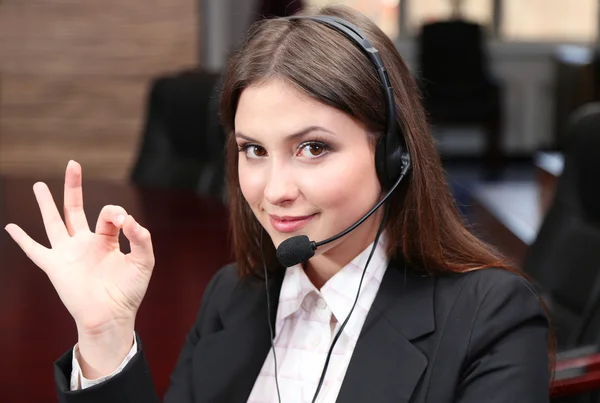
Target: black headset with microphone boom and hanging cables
pixel 392 162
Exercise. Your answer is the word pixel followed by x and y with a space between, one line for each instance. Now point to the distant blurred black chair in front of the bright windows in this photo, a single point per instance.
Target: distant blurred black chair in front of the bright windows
pixel 457 86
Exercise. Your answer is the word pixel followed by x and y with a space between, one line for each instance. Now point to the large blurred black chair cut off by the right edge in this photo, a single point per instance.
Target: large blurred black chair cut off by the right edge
pixel 565 256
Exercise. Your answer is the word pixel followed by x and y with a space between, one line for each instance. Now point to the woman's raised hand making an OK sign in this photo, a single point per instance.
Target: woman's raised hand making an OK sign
pixel 101 287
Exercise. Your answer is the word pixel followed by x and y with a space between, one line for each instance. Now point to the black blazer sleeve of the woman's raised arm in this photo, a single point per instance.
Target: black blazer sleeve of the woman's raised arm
pixel 134 384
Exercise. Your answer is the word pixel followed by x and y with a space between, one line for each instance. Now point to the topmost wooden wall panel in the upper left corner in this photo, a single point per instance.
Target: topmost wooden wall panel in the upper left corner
pixel 97 37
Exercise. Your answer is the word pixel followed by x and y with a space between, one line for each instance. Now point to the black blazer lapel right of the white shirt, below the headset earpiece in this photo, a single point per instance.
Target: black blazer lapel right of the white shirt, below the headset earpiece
pixel 386 366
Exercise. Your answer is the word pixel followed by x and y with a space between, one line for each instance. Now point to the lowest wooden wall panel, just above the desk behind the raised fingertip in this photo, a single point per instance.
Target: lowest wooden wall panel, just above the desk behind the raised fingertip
pixel 42 147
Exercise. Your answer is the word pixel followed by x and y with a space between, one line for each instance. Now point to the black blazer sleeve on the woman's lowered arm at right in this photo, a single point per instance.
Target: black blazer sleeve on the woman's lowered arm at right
pixel 507 360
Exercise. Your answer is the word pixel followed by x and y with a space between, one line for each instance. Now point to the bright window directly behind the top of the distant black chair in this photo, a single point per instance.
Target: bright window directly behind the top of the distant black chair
pixel 424 11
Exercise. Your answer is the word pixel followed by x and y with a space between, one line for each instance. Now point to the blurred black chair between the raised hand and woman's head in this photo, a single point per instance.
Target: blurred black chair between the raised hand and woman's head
pixel 182 145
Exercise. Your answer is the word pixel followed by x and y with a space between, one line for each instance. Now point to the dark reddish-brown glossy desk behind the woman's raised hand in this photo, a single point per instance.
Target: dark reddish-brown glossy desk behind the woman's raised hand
pixel 190 238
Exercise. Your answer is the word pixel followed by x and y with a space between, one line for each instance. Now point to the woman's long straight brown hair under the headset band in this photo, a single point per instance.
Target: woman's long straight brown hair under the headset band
pixel 424 225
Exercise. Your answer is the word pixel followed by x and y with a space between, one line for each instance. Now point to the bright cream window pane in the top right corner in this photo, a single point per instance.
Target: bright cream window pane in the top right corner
pixel 549 20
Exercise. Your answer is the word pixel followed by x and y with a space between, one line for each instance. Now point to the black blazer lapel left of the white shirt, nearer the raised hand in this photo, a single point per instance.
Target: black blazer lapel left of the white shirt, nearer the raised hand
pixel 241 346
